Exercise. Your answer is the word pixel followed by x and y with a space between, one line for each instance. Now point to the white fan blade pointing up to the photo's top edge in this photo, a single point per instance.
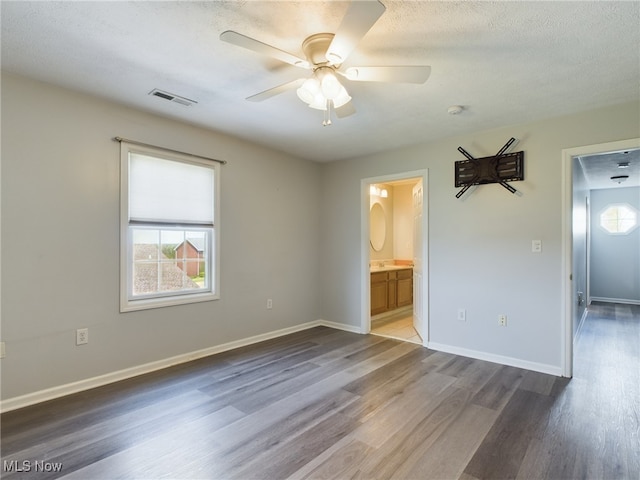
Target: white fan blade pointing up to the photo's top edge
pixel 360 17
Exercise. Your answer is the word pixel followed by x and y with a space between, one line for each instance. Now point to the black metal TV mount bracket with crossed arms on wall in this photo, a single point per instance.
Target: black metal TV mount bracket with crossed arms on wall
pixel 501 168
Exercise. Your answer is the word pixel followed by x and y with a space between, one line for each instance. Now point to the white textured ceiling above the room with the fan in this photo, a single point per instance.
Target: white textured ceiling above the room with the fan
pixel 504 62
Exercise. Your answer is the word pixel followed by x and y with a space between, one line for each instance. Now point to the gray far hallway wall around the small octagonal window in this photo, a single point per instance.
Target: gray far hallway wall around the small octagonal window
pixel 615 259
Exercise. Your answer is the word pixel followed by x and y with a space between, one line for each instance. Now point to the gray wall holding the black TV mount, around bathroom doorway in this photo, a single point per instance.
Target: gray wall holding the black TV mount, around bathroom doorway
pixel 480 247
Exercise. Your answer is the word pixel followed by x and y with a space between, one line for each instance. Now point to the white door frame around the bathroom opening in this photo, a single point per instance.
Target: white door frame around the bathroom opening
pixel 365 275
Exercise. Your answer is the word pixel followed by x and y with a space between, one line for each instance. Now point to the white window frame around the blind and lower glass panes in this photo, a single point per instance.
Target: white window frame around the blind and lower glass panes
pixel 164 299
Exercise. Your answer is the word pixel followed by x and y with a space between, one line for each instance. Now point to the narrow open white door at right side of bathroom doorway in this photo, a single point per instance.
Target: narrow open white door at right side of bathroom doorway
pixel 418 247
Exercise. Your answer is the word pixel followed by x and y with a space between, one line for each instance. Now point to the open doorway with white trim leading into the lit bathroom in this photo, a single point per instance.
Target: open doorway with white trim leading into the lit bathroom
pixel 394 256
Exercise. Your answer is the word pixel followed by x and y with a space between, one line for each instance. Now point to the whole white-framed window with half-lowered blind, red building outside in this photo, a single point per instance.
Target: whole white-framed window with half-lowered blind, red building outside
pixel 169 233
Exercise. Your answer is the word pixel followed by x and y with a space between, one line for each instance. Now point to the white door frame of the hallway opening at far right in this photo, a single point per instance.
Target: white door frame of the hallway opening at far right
pixel 567 238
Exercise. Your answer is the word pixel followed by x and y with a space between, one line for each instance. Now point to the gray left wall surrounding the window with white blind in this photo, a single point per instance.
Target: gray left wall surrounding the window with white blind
pixel 60 240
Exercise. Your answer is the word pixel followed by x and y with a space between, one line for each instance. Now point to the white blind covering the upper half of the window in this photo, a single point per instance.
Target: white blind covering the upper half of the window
pixel 169 191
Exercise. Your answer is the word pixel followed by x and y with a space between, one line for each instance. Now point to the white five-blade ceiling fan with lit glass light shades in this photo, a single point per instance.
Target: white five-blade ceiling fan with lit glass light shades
pixel 325 55
